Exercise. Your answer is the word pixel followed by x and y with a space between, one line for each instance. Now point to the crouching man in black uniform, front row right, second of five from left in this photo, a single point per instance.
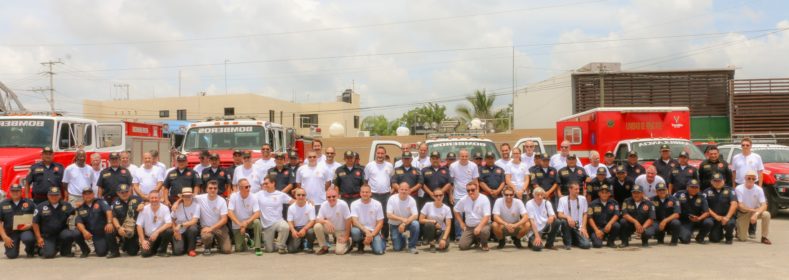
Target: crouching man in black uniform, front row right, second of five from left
pixel 638 215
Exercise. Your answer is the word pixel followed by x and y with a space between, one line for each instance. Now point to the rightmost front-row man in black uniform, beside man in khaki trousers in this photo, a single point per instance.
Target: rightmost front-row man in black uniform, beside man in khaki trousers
pixel 723 205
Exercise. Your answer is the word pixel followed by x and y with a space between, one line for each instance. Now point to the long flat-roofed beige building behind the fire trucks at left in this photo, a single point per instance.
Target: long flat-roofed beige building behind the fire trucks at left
pixel 305 117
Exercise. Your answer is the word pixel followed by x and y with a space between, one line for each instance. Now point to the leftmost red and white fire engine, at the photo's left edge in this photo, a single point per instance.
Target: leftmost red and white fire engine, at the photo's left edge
pixel 23 137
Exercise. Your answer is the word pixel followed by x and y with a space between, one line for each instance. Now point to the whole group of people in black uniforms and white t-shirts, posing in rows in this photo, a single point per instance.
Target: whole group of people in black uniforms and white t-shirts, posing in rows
pixel 287 207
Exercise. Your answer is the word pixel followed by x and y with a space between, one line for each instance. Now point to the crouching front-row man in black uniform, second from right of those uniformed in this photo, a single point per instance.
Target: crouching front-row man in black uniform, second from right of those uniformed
pixel 695 214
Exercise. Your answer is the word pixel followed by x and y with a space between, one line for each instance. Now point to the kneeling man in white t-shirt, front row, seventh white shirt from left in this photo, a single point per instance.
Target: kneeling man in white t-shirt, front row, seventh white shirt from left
pixel 334 219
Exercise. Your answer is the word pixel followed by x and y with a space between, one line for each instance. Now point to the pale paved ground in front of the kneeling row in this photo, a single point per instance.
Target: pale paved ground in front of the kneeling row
pixel 682 262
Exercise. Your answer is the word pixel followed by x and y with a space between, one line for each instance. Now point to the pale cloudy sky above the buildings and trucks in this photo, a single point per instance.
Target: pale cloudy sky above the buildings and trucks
pixel 396 54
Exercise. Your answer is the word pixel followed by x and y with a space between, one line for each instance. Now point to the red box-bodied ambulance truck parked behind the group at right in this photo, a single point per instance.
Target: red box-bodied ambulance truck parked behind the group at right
pixel 621 130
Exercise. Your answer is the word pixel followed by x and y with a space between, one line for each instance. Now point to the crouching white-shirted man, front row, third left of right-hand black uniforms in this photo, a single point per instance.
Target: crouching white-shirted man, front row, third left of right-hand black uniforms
pixel 510 218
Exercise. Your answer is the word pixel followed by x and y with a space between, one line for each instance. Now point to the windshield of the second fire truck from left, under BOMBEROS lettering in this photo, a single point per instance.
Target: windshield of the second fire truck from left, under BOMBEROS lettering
pixel 224 138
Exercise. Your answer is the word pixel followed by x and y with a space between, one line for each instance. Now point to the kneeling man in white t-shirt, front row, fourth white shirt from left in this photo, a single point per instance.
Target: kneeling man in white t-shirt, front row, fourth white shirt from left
pixel 244 211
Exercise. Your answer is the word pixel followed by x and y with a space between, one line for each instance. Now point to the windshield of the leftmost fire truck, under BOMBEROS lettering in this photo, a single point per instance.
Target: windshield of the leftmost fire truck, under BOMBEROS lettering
pixel 25 133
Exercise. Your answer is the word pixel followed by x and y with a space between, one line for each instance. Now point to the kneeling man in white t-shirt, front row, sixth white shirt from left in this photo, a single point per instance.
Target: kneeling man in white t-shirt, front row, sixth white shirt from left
pixel 301 219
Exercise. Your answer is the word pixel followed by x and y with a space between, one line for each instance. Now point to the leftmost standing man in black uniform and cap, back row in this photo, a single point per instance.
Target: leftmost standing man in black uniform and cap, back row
pixel 43 176
